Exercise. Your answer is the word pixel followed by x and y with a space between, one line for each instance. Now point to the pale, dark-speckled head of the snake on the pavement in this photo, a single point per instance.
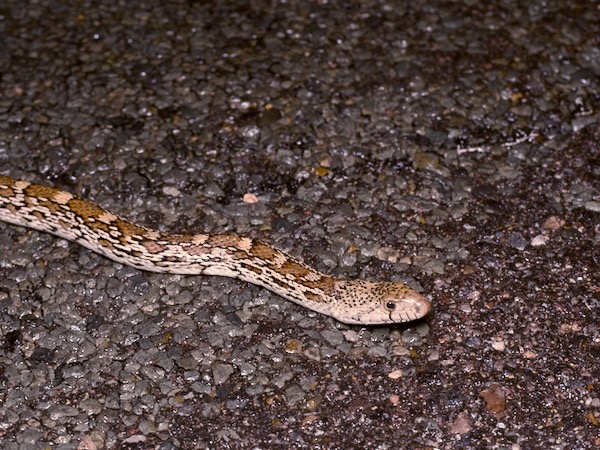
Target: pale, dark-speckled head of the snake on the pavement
pixel 372 303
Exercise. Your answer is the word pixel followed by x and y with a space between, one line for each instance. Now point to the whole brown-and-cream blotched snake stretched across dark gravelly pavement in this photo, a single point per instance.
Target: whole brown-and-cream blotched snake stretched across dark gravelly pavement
pixel 58 212
